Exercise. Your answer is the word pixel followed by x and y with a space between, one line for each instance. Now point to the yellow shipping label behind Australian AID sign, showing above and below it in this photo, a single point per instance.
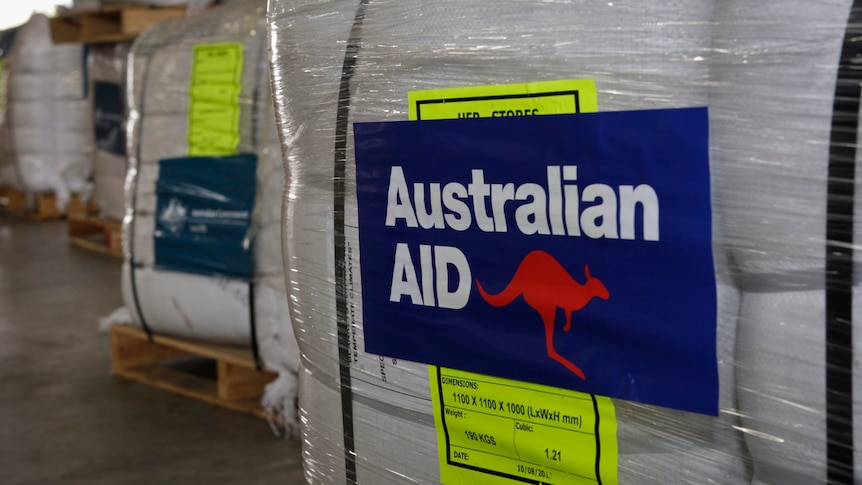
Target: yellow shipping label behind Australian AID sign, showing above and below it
pixel 500 431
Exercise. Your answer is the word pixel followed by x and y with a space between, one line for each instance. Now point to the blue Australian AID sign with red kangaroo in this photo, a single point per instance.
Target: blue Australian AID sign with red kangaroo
pixel 567 250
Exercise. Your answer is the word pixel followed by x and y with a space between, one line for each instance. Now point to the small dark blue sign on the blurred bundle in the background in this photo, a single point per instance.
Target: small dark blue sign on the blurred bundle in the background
pixel 108 117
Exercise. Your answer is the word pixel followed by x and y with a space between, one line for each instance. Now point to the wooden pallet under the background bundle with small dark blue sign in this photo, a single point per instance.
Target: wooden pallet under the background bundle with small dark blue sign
pixel 89 231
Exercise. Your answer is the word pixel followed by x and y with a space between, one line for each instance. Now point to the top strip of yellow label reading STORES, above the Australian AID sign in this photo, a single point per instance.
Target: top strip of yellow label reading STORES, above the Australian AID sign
pixel 529 99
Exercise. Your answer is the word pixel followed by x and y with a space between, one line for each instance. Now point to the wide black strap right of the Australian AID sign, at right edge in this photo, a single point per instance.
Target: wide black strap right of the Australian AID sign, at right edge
pixel 839 254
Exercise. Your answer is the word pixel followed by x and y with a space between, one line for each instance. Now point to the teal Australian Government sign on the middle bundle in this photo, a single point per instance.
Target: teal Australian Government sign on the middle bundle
pixel 204 209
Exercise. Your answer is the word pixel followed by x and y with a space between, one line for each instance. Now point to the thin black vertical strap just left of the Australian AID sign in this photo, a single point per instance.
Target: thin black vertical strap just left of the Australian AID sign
pixel 339 173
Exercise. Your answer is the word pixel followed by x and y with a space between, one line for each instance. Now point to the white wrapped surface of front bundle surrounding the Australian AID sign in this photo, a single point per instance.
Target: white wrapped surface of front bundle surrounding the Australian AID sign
pixel 766 71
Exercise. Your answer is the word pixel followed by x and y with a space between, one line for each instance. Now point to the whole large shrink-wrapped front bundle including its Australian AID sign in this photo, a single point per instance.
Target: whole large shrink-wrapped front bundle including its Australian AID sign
pixel 779 144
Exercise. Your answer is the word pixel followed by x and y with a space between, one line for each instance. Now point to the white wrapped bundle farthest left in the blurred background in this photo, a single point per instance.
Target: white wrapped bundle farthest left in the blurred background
pixel 48 145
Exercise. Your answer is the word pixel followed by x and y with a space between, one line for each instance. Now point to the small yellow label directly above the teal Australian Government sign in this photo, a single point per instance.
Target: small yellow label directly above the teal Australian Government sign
pixel 214 99
